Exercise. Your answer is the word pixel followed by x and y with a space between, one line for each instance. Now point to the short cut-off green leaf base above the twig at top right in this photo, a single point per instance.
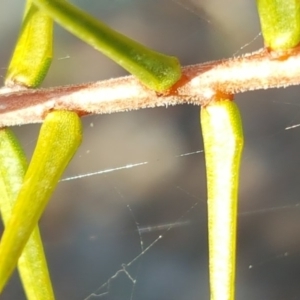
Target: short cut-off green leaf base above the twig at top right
pixel 280 23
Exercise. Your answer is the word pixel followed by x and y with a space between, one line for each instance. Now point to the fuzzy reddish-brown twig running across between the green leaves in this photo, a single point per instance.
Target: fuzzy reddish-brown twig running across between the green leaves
pixel 199 85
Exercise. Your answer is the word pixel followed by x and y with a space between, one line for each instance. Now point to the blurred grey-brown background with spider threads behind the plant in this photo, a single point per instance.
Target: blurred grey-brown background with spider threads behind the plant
pixel 150 220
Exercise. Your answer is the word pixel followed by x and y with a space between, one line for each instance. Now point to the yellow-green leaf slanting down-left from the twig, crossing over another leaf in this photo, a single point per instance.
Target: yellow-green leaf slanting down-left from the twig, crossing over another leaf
pixel 59 138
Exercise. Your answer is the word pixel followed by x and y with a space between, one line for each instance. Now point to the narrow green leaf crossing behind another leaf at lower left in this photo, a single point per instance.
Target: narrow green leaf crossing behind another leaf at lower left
pixel 32 264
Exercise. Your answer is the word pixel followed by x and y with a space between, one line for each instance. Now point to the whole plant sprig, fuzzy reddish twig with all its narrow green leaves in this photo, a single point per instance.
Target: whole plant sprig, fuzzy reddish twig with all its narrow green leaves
pixel 157 80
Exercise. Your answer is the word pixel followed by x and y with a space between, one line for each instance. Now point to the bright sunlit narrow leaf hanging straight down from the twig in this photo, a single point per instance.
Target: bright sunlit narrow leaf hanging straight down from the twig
pixel 223 144
